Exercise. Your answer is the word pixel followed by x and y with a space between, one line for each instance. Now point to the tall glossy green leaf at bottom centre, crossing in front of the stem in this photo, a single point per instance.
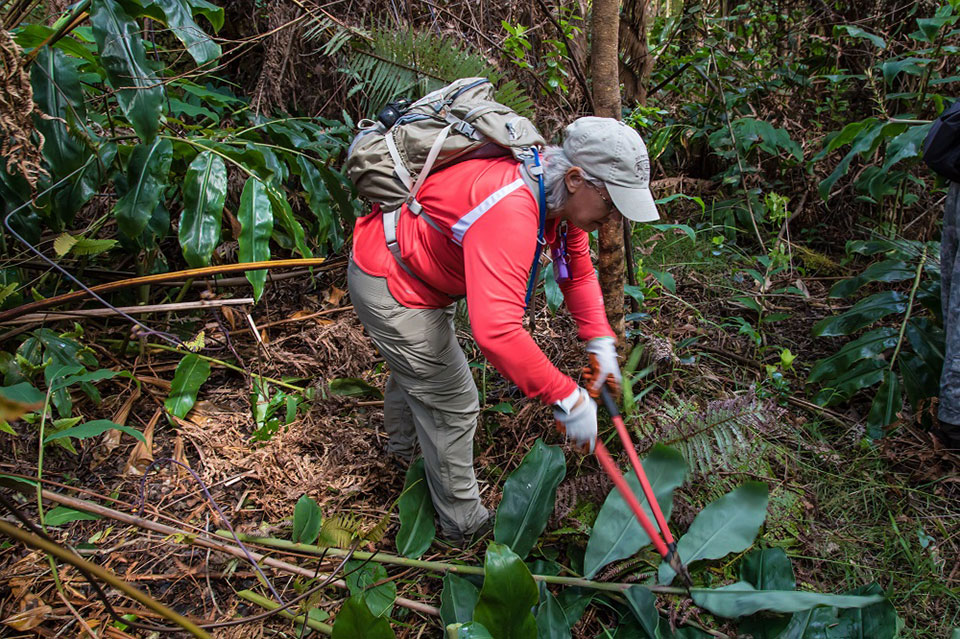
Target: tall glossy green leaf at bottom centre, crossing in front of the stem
pixel 507 596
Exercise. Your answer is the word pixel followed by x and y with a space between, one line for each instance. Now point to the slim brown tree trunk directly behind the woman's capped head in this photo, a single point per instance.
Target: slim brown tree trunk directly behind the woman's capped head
pixel 606 100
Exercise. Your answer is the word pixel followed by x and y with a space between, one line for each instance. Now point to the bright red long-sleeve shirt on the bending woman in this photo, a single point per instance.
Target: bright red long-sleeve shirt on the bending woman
pixel 484 252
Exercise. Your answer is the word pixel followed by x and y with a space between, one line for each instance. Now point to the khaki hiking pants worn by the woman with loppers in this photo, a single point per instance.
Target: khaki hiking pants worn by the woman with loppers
pixel 430 397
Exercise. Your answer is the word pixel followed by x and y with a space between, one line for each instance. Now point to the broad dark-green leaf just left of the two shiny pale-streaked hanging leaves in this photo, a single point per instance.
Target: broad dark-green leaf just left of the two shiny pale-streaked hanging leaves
pixel 147 175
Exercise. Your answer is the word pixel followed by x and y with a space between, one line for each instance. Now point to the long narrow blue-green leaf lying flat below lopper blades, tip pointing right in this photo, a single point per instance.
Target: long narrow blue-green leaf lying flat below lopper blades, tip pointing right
pixel 740 599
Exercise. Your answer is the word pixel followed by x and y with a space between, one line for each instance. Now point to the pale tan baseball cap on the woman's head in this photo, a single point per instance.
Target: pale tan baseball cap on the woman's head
pixel 611 151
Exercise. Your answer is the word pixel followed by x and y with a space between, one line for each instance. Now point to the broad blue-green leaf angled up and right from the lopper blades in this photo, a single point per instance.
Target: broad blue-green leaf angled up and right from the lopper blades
pixel 728 525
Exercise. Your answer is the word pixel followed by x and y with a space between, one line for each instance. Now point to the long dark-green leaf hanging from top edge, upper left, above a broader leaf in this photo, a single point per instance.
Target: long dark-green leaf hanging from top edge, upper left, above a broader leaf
pixel 139 91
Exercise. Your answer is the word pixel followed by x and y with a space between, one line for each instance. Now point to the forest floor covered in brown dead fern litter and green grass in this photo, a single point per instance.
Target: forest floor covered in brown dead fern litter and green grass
pixel 846 512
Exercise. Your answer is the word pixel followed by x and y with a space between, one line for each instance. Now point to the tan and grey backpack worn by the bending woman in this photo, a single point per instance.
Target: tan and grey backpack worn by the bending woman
pixel 389 159
